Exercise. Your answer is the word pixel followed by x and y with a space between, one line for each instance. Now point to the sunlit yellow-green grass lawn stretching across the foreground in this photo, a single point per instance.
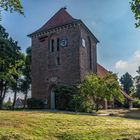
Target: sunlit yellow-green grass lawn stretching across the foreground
pixel 20 125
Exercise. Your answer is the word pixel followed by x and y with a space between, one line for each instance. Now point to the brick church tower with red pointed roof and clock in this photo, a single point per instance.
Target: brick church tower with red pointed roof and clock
pixel 63 52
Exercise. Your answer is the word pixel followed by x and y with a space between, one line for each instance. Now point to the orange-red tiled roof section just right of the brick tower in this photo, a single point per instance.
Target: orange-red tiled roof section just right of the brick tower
pixel 101 71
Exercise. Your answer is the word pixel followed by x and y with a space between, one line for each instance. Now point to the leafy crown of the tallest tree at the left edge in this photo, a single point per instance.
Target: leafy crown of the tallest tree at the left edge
pixel 10 57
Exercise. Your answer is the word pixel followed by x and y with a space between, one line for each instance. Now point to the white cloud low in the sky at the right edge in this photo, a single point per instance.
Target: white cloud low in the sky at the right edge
pixel 130 65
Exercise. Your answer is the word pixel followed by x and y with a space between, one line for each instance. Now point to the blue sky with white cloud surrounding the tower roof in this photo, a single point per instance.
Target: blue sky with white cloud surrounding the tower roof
pixel 111 21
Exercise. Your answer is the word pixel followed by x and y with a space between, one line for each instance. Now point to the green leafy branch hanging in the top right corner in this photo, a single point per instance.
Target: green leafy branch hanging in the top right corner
pixel 135 7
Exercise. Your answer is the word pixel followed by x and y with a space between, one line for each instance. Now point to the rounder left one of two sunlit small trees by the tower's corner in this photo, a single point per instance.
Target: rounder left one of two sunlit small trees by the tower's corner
pixel 93 89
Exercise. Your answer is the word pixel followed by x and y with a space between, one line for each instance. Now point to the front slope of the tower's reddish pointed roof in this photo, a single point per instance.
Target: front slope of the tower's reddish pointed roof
pixel 60 18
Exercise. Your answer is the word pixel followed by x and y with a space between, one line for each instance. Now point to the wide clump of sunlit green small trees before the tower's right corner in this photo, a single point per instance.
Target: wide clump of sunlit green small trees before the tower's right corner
pixel 97 90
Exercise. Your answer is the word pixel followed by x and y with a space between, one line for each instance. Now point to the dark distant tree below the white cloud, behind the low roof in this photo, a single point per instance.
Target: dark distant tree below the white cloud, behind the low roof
pixel 127 82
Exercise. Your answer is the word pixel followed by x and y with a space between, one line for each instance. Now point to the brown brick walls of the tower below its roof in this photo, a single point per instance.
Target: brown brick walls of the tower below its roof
pixel 76 60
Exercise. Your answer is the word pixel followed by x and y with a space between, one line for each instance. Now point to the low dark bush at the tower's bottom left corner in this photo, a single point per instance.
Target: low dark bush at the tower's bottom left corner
pixel 33 103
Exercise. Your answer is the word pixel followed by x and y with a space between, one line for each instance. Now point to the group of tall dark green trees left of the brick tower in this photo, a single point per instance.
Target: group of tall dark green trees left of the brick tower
pixel 15 67
